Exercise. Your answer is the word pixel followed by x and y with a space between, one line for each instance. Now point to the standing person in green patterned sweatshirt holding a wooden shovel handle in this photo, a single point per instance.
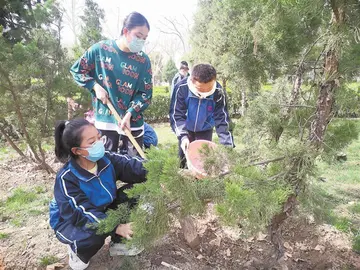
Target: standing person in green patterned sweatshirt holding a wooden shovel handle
pixel 120 71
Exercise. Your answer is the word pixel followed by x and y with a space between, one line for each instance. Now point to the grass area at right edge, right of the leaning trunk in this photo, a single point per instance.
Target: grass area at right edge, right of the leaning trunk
pixel 338 196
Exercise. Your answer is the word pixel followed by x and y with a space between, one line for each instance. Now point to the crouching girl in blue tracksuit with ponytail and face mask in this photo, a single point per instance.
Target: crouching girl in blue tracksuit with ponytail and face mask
pixel 86 187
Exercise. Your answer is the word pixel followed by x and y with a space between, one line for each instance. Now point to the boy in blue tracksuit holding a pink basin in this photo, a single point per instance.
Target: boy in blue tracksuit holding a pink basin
pixel 198 104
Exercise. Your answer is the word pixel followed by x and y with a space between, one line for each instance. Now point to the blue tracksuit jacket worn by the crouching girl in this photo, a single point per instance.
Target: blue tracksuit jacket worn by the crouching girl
pixel 82 197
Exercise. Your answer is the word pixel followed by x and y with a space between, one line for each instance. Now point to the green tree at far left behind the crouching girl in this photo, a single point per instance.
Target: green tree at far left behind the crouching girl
pixel 34 88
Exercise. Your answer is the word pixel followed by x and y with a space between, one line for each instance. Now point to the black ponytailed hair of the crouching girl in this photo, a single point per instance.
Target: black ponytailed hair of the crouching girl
pixel 67 136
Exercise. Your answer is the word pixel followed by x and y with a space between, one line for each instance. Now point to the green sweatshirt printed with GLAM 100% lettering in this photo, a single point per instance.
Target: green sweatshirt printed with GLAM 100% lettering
pixel 125 76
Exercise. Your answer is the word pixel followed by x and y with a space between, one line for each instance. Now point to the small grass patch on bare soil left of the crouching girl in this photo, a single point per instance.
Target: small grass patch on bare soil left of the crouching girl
pixel 24 203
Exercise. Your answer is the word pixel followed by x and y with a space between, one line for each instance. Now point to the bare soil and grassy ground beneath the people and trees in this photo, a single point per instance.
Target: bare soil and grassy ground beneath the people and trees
pixel 27 241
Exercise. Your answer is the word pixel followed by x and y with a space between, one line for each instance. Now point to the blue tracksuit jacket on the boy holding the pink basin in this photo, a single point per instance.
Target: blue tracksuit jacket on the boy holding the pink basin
pixel 188 112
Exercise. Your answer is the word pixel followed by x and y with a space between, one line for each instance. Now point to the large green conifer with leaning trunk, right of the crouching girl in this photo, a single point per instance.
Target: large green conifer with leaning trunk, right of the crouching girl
pixel 285 131
